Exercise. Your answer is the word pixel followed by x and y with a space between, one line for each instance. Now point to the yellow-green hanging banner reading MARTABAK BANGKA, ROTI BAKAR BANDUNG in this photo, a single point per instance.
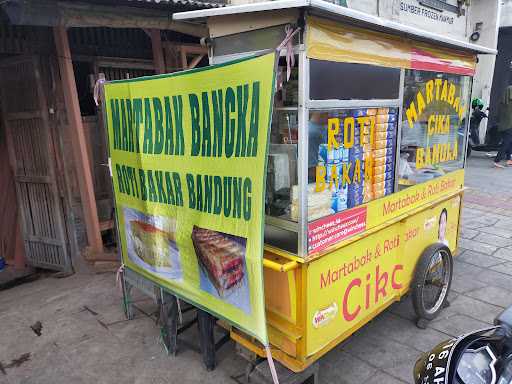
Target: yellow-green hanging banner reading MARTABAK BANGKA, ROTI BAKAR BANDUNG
pixel 188 158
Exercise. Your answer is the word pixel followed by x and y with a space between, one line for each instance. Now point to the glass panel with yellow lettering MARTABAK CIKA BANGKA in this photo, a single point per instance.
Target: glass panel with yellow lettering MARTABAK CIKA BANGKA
pixel 433 125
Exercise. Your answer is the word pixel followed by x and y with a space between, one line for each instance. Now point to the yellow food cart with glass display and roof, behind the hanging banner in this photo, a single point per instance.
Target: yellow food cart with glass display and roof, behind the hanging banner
pixel 365 166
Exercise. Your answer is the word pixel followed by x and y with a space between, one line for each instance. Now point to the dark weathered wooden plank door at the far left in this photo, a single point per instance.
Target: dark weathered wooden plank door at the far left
pixel 32 157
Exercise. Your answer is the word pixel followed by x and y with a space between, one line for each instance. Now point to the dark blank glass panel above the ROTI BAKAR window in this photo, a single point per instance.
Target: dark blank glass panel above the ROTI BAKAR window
pixel 346 81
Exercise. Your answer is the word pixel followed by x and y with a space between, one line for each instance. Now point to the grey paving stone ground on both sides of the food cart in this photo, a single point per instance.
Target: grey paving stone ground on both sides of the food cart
pixel 99 346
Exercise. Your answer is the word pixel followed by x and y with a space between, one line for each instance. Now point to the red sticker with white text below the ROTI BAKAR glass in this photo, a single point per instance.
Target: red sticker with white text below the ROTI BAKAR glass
pixel 330 230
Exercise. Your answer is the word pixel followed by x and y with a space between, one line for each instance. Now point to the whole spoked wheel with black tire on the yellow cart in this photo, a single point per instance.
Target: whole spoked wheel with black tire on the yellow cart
pixel 432 280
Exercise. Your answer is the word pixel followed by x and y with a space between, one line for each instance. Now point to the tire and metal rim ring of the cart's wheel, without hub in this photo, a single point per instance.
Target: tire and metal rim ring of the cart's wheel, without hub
pixel 419 280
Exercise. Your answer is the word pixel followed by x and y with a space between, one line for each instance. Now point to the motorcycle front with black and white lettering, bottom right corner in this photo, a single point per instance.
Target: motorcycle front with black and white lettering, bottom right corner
pixel 479 357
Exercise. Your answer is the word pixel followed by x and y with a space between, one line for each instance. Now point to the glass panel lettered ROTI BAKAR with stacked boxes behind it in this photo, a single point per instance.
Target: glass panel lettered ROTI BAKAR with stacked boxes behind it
pixel 351 158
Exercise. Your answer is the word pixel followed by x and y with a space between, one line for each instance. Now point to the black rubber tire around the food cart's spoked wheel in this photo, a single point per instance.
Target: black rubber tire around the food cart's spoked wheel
pixel 419 281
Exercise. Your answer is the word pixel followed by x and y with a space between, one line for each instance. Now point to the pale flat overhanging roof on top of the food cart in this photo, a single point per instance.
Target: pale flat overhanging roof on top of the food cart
pixel 337 12
